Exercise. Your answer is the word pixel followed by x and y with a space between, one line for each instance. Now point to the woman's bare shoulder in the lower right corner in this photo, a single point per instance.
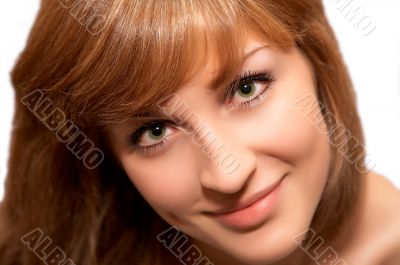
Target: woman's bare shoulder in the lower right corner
pixel 372 234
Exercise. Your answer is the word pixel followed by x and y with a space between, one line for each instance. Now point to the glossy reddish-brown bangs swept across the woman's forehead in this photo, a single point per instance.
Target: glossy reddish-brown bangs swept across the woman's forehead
pixel 149 49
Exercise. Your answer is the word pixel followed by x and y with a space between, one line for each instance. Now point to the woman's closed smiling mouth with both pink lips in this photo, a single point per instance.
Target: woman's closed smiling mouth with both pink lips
pixel 252 211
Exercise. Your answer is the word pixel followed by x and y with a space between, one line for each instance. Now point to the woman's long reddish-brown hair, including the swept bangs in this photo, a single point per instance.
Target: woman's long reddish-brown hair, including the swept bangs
pixel 140 52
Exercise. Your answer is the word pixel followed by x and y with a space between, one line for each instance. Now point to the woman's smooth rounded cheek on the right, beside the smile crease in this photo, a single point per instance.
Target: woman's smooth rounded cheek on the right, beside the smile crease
pixel 285 132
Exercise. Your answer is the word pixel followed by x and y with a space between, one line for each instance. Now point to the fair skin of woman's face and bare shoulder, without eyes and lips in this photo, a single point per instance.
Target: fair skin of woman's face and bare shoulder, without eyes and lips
pixel 273 141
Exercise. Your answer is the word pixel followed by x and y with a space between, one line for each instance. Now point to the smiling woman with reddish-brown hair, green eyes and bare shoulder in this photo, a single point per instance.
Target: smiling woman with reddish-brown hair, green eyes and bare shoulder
pixel 195 132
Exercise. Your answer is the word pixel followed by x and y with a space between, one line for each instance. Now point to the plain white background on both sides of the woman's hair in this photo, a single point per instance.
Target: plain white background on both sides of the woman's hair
pixel 373 61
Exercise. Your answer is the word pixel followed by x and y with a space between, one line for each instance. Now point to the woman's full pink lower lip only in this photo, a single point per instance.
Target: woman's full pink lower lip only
pixel 253 215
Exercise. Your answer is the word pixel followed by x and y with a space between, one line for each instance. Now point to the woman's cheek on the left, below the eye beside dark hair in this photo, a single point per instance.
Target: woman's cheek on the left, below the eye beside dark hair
pixel 167 183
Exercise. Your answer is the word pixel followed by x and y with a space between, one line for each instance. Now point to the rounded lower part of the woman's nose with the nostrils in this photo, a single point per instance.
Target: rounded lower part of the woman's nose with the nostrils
pixel 227 170
